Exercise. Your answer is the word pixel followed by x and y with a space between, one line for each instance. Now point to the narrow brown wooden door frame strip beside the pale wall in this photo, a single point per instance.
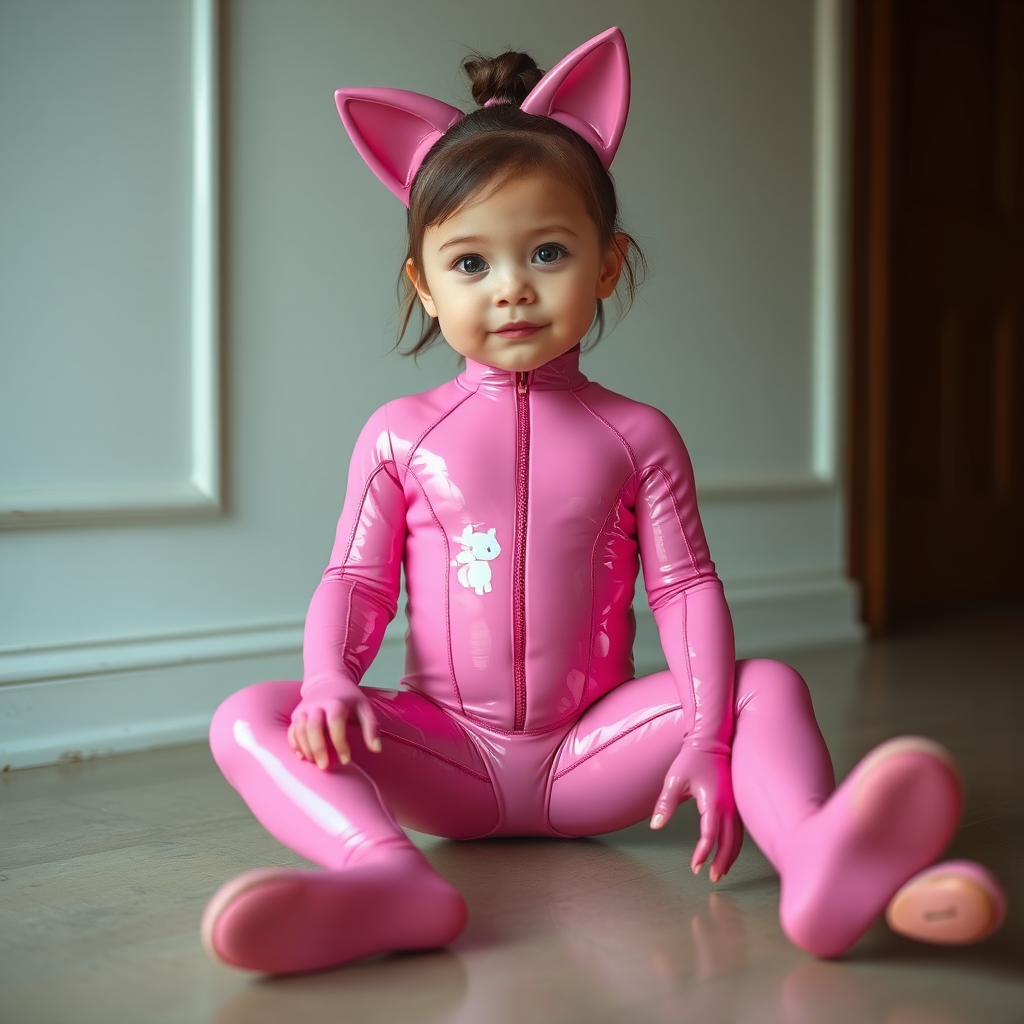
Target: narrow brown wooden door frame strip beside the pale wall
pixel 870 310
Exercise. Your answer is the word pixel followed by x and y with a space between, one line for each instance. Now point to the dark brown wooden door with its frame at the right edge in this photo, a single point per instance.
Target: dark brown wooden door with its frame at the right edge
pixel 937 369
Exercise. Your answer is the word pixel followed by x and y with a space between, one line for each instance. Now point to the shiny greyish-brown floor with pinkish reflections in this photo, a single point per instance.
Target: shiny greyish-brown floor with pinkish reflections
pixel 105 868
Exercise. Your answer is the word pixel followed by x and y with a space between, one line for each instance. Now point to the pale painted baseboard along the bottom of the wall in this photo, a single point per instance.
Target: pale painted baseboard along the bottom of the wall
pixel 69 703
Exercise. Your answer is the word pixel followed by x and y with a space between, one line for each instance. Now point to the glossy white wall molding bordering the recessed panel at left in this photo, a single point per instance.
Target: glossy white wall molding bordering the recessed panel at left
pixel 200 496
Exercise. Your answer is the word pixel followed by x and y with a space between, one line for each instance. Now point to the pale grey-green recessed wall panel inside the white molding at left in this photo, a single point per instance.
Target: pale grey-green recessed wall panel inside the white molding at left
pixel 97 113
